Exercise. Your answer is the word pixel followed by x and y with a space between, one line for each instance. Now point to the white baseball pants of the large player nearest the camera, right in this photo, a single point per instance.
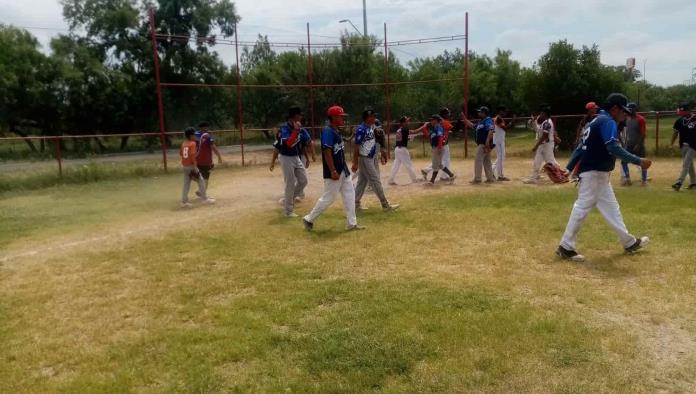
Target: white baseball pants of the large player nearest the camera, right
pixel 595 190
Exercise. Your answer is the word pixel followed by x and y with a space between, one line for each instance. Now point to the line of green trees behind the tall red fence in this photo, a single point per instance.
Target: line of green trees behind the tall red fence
pixel 99 76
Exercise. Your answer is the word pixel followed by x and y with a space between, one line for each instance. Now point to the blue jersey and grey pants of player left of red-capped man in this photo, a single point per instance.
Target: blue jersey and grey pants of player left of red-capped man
pixel 290 143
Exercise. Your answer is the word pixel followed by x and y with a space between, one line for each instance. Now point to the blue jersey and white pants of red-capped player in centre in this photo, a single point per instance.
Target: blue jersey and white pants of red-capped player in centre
pixel 331 139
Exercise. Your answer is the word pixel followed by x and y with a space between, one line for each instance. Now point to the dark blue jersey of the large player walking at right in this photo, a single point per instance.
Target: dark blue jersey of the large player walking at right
pixel 597 135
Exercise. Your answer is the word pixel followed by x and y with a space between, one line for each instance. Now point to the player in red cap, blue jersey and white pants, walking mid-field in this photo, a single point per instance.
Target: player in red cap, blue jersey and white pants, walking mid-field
pixel 336 173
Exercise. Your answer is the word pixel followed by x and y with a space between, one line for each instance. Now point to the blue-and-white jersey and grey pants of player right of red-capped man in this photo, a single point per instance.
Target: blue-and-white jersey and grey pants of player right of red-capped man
pixel 368 165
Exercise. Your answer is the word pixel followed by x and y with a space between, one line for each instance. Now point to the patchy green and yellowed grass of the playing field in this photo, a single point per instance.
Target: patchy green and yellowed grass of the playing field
pixel 457 292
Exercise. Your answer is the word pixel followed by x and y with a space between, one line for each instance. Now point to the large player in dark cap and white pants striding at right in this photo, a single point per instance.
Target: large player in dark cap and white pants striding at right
pixel 597 154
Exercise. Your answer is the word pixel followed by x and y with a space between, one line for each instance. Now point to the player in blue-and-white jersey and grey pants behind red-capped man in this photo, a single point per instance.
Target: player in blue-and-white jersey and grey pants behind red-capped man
pixel 364 159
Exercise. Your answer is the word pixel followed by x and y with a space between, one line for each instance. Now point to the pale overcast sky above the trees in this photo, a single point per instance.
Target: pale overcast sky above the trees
pixel 661 32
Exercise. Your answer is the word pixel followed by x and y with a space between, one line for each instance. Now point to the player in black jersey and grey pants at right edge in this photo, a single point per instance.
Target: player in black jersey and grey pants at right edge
pixel 685 129
